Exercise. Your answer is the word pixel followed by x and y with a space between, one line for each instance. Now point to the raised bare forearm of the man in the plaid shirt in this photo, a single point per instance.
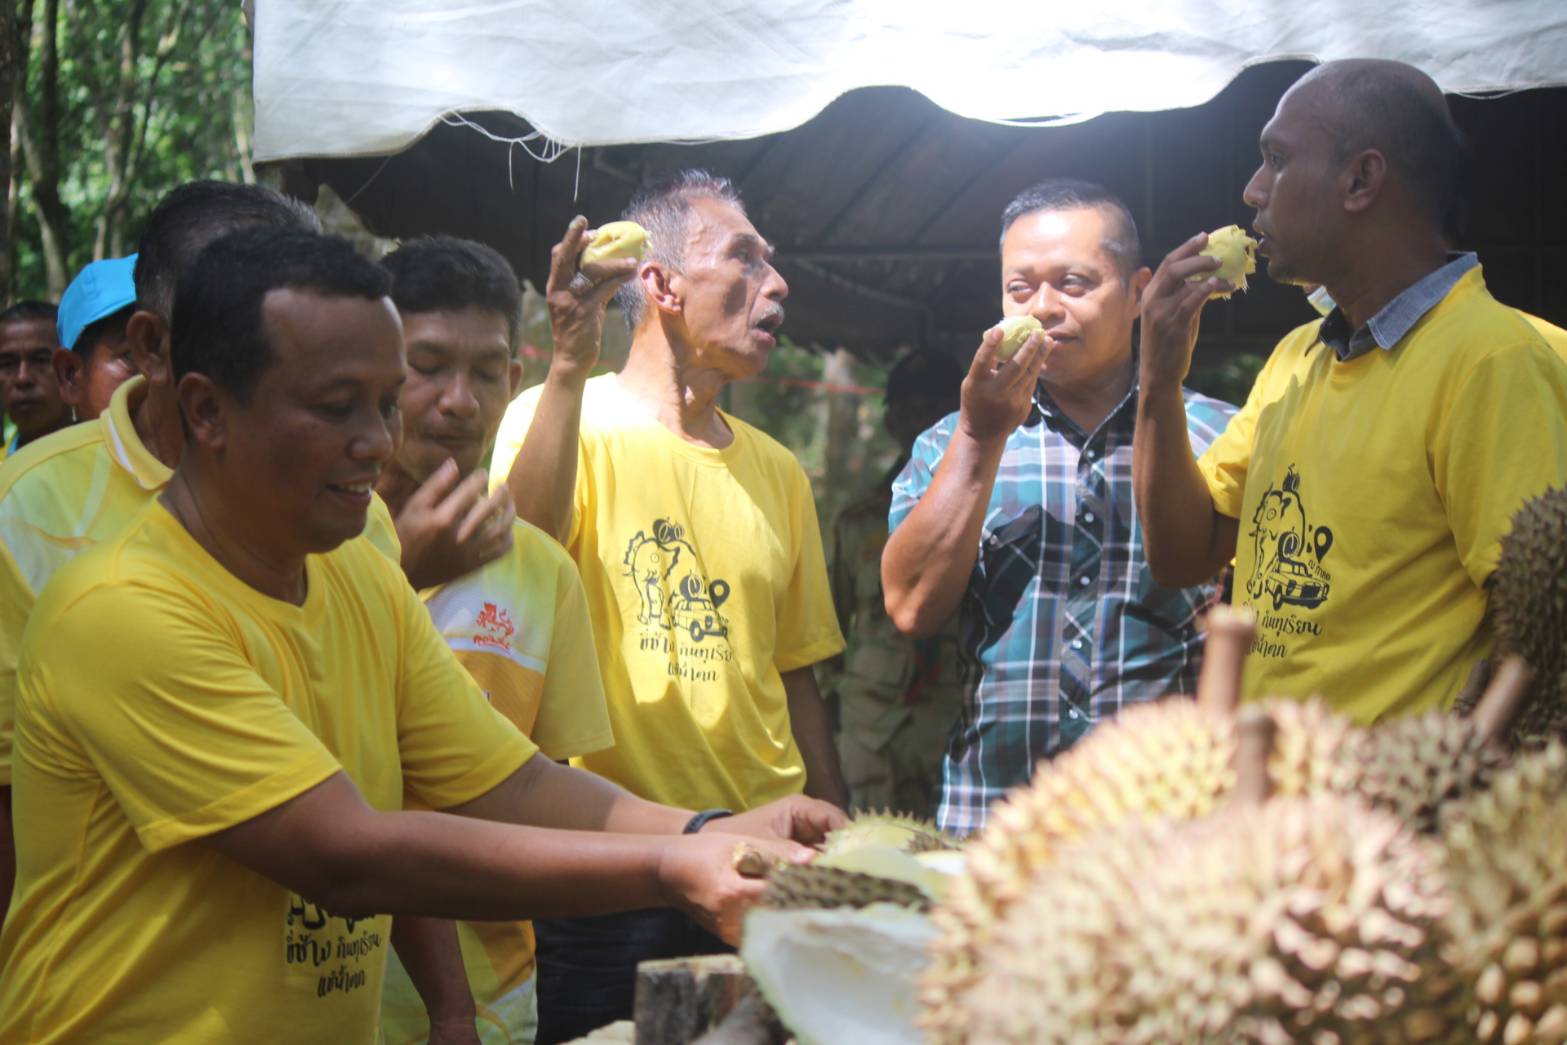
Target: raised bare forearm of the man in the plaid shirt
pixel 930 559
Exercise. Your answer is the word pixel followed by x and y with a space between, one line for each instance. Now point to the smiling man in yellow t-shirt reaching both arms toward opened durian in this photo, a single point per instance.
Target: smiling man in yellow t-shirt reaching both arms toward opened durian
pixel 209 806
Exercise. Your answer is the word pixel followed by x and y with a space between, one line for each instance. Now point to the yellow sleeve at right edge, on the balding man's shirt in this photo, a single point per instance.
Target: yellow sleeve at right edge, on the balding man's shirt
pixel 1502 441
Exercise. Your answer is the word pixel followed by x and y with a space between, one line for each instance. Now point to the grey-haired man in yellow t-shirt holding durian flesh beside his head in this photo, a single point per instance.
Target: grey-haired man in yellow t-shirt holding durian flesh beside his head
pixel 700 549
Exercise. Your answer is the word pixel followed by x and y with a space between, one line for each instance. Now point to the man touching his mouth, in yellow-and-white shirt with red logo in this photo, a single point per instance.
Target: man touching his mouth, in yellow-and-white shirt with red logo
pixel 519 624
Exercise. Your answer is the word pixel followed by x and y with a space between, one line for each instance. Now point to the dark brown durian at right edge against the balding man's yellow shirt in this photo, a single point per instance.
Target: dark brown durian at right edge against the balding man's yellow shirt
pixel 1530 601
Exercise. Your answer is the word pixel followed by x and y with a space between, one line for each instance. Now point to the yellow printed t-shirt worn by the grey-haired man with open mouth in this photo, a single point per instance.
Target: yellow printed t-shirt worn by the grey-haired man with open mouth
pixel 706 579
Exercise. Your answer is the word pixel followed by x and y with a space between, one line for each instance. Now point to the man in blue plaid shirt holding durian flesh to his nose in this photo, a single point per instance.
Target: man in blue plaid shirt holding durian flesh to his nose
pixel 1018 512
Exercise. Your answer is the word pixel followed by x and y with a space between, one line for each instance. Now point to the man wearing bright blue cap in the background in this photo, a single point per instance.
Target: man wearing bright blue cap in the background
pixel 95 358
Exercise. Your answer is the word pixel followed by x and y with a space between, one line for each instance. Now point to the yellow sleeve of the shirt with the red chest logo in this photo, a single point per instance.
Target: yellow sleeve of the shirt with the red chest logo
pixel 574 718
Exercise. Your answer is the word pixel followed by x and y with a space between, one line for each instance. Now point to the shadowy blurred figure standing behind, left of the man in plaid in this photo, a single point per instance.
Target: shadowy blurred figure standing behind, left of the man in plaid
pixel 897 698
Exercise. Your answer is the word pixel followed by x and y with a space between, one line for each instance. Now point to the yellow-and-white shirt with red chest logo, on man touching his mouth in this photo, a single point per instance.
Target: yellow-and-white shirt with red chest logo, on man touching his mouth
pixel 521 627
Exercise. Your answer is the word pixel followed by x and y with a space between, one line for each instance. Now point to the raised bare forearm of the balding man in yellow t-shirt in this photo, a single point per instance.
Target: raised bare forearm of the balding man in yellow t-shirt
pixel 1184 537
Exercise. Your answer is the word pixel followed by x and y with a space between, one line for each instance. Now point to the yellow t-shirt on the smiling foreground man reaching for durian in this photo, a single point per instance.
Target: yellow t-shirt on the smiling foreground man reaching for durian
pixel 201 706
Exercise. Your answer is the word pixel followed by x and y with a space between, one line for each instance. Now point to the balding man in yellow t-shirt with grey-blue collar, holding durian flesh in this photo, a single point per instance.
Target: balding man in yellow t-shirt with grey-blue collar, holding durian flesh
pixel 1366 486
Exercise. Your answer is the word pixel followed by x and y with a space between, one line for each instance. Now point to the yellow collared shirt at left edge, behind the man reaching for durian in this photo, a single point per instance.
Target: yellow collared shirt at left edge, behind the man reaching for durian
pixel 67 493
